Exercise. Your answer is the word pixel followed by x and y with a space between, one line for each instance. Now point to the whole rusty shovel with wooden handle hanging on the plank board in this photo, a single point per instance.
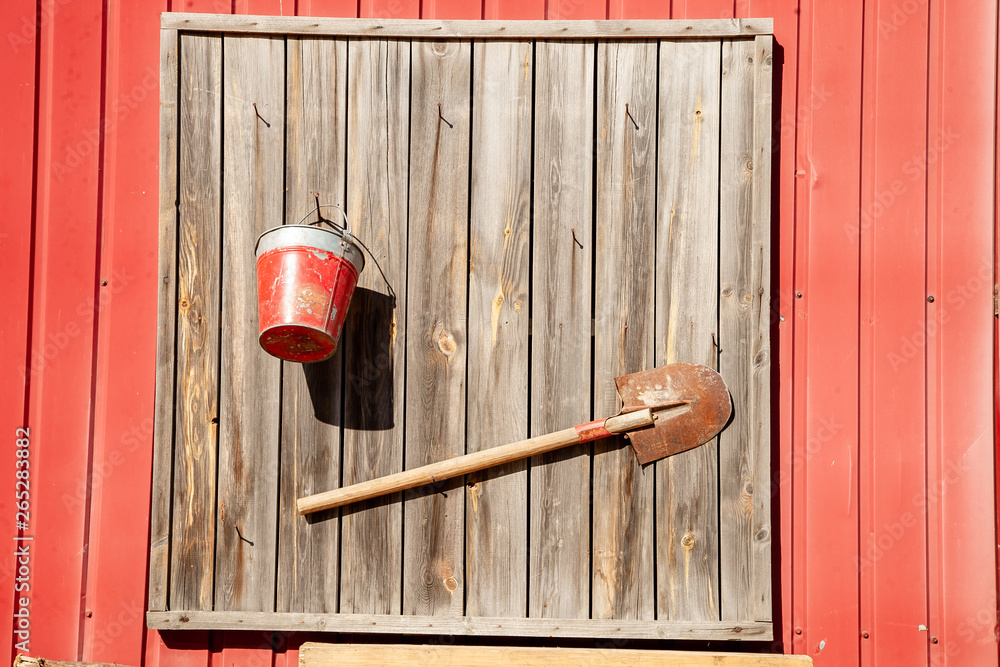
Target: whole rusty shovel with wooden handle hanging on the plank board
pixel 666 410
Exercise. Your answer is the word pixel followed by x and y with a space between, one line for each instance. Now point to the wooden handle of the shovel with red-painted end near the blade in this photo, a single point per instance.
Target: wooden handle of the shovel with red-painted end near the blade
pixel 487 458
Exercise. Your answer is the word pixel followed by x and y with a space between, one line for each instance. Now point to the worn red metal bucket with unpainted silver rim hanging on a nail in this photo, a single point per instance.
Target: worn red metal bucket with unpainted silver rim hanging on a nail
pixel 305 279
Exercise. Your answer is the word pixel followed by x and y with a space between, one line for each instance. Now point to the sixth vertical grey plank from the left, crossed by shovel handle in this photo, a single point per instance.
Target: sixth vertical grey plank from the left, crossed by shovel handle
pixel 499 233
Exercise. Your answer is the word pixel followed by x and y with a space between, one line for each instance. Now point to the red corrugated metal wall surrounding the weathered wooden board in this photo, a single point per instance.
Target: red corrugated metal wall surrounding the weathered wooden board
pixel 886 199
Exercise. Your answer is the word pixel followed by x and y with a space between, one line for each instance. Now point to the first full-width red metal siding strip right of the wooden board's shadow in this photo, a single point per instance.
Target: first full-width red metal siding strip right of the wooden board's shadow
pixel 825 421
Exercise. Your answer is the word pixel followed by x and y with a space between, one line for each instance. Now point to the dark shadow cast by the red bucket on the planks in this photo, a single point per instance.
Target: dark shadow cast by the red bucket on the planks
pixel 366 356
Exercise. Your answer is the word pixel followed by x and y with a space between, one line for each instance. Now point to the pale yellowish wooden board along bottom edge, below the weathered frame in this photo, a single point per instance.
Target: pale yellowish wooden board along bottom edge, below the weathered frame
pixel 356 655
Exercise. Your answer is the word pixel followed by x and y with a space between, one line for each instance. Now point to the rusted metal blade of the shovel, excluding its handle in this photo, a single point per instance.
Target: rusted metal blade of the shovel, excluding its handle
pixel 679 428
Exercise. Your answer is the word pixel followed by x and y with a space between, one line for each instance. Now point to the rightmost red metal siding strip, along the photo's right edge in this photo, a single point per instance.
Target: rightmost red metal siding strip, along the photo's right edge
pixel 961 188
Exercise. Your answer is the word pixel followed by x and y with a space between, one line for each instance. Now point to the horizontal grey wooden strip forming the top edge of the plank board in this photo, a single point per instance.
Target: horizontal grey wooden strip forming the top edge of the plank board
pixel 438 29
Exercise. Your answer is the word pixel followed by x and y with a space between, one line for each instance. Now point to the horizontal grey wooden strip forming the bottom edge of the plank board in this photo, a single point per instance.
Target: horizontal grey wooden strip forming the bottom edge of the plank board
pixel 619 629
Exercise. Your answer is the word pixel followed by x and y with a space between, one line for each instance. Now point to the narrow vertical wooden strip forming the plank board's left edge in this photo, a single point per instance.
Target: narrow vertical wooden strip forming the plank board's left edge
pixel 166 323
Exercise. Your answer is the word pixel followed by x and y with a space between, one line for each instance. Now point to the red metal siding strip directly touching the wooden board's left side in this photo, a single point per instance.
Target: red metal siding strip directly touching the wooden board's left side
pixel 122 440
